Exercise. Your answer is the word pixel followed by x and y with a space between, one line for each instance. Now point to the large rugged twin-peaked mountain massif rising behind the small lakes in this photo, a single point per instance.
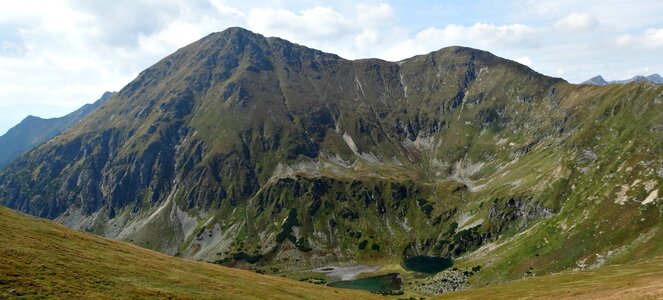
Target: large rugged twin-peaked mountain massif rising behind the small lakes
pixel 240 148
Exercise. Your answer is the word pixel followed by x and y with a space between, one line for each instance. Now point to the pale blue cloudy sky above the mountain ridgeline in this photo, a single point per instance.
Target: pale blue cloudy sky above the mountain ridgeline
pixel 57 55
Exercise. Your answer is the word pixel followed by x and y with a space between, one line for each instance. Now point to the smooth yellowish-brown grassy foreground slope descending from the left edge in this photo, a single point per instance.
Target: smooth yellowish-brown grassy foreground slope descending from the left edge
pixel 41 258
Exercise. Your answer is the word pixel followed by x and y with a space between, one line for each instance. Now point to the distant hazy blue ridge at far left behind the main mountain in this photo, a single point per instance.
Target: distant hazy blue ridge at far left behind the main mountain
pixel 33 131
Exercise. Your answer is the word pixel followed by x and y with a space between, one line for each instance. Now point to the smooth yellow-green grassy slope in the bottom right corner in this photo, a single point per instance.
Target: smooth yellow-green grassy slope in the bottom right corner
pixel 641 281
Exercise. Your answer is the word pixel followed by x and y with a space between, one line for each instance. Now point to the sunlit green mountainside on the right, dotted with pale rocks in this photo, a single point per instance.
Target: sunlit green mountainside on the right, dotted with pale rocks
pixel 590 223
